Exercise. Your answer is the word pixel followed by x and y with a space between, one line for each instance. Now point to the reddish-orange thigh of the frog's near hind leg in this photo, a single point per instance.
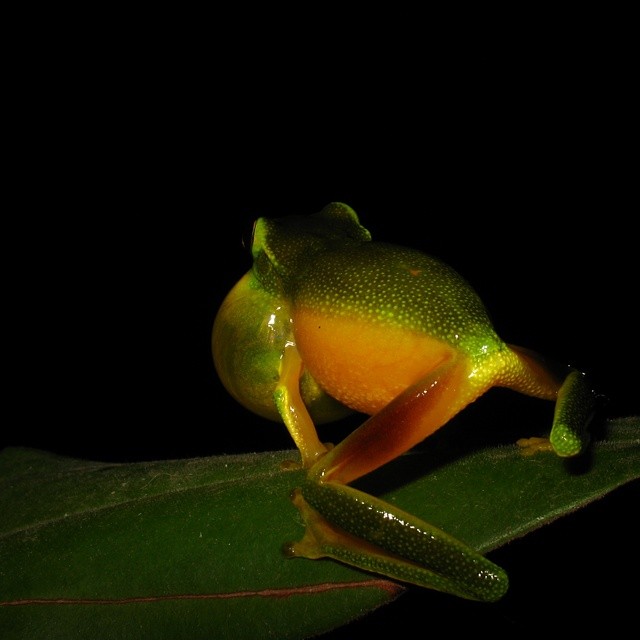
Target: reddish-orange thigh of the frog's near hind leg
pixel 412 416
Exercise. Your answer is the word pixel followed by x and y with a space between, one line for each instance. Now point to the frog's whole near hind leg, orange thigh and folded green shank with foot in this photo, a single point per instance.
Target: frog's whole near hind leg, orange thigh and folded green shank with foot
pixel 363 531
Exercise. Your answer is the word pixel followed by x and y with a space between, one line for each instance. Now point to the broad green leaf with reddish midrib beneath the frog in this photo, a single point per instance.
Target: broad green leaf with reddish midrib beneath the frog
pixel 191 548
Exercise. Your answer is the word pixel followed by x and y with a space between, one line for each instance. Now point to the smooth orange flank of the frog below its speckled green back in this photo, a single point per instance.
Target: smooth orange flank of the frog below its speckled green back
pixel 364 365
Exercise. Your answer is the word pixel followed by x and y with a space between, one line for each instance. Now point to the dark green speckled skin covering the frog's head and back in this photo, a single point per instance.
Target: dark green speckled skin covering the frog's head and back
pixel 327 261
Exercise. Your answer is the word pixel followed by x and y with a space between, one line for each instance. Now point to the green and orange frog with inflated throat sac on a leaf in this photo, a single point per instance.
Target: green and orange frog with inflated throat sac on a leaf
pixel 327 323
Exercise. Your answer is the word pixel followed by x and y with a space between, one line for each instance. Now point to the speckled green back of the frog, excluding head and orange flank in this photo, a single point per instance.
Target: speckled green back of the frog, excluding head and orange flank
pixel 393 286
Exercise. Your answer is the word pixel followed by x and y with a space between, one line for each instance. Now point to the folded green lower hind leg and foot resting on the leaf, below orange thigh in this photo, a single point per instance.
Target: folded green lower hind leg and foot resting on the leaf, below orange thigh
pixel 381 538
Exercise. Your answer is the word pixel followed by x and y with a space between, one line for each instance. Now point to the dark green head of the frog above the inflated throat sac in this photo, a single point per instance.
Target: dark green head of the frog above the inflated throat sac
pixel 281 246
